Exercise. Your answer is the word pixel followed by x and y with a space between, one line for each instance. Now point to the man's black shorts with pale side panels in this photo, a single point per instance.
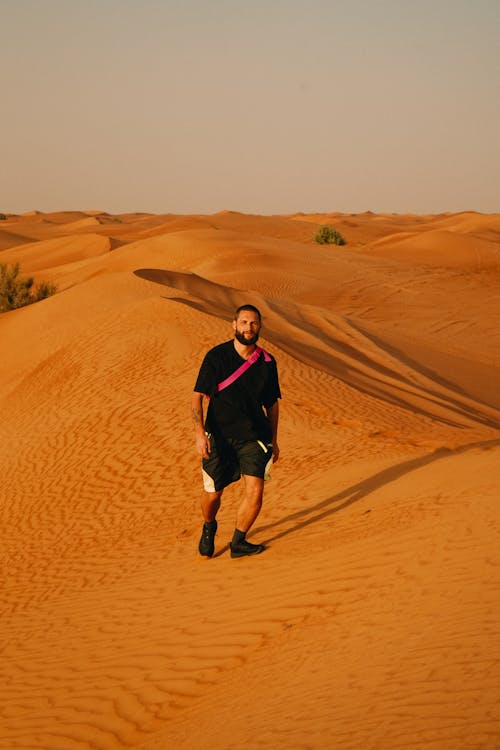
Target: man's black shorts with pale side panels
pixel 230 458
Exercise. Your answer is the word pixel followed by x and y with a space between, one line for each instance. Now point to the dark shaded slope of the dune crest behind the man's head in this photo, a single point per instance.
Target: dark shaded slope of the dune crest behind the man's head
pixel 333 345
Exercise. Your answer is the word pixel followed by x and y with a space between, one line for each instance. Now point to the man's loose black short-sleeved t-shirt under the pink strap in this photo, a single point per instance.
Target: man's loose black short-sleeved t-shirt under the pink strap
pixel 237 411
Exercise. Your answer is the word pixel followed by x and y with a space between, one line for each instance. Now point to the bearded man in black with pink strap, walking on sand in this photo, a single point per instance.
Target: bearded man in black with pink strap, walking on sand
pixel 239 435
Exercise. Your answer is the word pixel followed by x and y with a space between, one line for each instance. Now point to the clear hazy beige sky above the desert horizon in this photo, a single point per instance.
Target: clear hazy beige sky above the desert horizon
pixel 260 106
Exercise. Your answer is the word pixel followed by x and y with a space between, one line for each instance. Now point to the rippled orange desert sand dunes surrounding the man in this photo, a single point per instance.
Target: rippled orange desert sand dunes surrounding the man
pixel 371 620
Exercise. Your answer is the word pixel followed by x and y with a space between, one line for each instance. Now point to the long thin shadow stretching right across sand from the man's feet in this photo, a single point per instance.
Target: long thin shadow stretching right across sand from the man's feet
pixel 299 520
